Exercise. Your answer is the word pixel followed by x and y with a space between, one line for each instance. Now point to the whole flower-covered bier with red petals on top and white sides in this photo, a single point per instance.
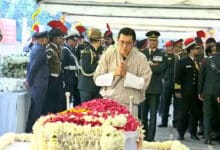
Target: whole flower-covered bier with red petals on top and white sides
pixel 98 124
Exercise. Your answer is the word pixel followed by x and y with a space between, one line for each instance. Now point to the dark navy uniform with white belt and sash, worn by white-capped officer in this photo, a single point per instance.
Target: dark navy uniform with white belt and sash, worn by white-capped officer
pixel 70 66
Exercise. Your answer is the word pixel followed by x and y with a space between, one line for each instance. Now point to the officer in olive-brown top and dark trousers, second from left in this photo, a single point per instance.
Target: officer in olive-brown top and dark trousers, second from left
pixel 53 50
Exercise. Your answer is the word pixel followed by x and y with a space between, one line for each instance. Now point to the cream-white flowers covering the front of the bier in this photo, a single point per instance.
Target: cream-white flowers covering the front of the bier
pixel 54 136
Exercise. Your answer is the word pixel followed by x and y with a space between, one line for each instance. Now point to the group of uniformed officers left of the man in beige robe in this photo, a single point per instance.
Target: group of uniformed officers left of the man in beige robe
pixel 62 62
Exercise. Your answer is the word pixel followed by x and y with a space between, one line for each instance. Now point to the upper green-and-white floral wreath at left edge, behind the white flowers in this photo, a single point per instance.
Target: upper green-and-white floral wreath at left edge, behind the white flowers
pixel 14 65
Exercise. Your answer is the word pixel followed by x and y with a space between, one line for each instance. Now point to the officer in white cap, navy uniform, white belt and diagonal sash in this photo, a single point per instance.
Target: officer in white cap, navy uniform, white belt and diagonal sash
pixel 70 65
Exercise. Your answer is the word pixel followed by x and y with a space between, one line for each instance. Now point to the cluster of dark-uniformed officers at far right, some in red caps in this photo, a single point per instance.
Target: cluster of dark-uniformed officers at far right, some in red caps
pixel 191 84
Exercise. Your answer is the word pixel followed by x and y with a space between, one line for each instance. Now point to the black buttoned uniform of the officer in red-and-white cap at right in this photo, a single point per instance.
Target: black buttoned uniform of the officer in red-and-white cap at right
pixel 186 76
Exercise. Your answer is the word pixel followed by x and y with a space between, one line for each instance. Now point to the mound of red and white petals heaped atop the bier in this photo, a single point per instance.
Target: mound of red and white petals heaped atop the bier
pixel 98 112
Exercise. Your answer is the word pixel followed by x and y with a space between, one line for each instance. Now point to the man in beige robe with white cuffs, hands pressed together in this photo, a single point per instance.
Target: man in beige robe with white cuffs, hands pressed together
pixel 124 72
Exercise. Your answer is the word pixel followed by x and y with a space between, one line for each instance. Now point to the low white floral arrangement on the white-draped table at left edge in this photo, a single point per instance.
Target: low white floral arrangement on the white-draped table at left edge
pixel 11 85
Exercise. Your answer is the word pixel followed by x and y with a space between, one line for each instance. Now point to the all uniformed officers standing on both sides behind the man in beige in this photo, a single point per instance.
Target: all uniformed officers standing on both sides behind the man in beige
pixel 186 74
